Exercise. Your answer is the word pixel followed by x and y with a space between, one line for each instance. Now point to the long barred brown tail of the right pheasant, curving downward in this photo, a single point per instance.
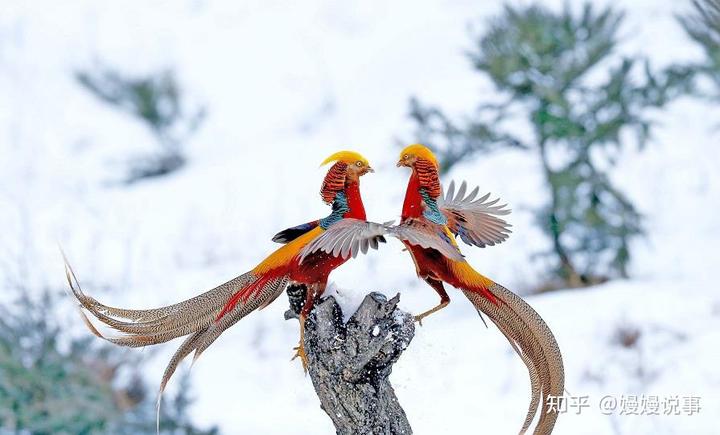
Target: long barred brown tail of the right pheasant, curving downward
pixel 534 343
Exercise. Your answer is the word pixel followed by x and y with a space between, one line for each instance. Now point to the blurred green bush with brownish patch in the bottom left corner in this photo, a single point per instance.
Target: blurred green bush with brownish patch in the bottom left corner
pixel 51 383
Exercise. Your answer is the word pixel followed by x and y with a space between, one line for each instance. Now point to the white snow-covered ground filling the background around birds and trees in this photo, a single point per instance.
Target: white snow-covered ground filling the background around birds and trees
pixel 286 84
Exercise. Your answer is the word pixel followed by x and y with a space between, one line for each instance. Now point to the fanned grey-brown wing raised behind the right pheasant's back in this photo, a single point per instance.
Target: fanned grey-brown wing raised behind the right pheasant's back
pixel 475 221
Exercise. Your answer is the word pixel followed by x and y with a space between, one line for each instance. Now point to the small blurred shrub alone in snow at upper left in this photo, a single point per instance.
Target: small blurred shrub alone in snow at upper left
pixel 158 102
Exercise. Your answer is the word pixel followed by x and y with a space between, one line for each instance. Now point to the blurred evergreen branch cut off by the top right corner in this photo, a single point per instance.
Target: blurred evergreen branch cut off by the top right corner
pixel 703 27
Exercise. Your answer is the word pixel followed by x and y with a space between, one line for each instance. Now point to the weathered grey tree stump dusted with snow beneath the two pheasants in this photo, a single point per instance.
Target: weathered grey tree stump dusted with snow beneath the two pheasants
pixel 349 363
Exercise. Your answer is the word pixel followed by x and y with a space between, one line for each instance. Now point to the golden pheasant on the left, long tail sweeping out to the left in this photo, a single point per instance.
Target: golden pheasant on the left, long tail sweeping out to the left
pixel 204 317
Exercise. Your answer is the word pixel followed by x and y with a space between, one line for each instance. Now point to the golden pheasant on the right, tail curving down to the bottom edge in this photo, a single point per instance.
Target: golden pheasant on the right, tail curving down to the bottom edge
pixel 429 226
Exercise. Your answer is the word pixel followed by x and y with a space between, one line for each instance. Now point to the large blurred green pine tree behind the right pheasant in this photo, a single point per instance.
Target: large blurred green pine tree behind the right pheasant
pixel 557 75
